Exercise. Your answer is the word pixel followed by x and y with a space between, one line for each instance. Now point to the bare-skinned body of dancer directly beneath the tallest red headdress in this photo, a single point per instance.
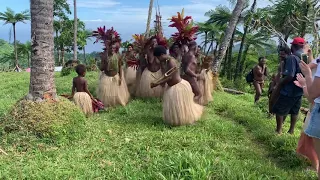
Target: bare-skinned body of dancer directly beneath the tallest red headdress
pixel 189 68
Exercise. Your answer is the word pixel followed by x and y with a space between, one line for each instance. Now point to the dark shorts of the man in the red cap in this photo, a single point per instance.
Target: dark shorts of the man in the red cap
pixel 287 105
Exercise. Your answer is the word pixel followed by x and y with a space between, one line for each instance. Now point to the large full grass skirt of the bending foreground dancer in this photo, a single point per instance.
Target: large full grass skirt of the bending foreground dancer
pixel 178 105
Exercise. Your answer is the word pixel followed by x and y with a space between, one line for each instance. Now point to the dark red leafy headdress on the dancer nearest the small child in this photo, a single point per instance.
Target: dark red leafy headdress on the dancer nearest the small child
pixel 108 37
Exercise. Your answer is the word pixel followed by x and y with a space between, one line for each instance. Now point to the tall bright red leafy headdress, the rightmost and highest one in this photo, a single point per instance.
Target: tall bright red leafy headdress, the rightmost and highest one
pixel 186 30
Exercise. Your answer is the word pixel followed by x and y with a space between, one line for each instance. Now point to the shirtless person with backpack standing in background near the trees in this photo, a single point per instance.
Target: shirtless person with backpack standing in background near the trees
pixel 259 75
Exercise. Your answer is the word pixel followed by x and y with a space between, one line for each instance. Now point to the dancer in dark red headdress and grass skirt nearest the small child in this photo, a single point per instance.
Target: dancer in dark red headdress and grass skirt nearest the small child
pixel 112 89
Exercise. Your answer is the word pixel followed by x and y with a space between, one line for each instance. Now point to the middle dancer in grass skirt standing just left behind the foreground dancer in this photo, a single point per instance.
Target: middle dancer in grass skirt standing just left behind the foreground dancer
pixel 151 73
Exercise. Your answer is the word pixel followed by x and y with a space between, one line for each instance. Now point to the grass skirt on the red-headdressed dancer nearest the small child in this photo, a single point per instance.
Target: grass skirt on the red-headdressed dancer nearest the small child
pixel 111 93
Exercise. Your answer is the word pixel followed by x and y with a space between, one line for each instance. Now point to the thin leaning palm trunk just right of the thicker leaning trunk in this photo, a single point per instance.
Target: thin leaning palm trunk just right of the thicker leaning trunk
pixel 245 31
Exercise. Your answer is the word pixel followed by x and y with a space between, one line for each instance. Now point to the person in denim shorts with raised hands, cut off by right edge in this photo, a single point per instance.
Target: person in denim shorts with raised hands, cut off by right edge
pixel 313 86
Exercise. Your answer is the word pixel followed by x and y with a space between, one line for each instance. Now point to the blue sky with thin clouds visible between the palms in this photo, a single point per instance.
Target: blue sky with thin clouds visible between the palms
pixel 128 17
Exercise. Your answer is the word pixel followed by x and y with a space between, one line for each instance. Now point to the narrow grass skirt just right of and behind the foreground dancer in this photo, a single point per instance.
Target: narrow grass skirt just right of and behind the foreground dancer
pixel 205 86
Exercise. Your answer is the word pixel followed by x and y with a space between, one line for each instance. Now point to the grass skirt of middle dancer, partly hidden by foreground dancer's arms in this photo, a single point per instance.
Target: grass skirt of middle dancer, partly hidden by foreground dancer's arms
pixel 144 89
